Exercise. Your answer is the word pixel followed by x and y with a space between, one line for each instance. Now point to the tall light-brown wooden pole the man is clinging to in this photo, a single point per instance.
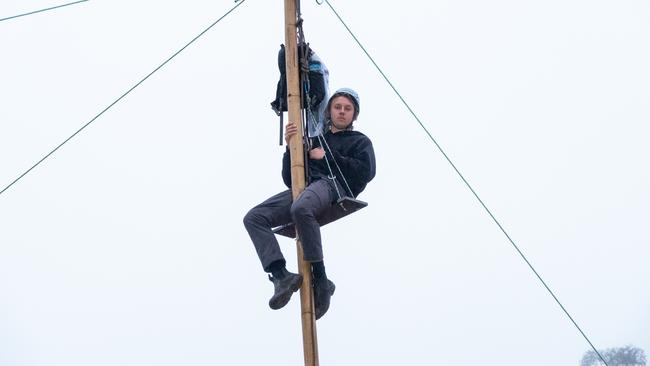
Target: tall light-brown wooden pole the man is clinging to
pixel 309 341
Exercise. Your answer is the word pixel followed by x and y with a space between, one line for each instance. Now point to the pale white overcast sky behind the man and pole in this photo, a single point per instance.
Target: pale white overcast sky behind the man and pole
pixel 126 246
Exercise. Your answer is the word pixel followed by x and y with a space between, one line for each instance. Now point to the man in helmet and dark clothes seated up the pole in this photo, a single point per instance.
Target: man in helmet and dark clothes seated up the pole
pixel 352 152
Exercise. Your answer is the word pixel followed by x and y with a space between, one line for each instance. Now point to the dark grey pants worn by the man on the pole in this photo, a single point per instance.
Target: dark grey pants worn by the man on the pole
pixel 279 210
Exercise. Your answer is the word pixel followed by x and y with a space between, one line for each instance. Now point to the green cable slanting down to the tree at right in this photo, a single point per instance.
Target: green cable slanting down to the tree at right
pixel 465 181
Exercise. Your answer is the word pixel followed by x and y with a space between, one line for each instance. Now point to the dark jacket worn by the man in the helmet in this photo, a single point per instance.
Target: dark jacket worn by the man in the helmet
pixel 353 153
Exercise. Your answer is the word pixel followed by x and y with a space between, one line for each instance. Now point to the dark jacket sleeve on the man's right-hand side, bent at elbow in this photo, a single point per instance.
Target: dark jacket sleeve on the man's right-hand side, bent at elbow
pixel 360 163
